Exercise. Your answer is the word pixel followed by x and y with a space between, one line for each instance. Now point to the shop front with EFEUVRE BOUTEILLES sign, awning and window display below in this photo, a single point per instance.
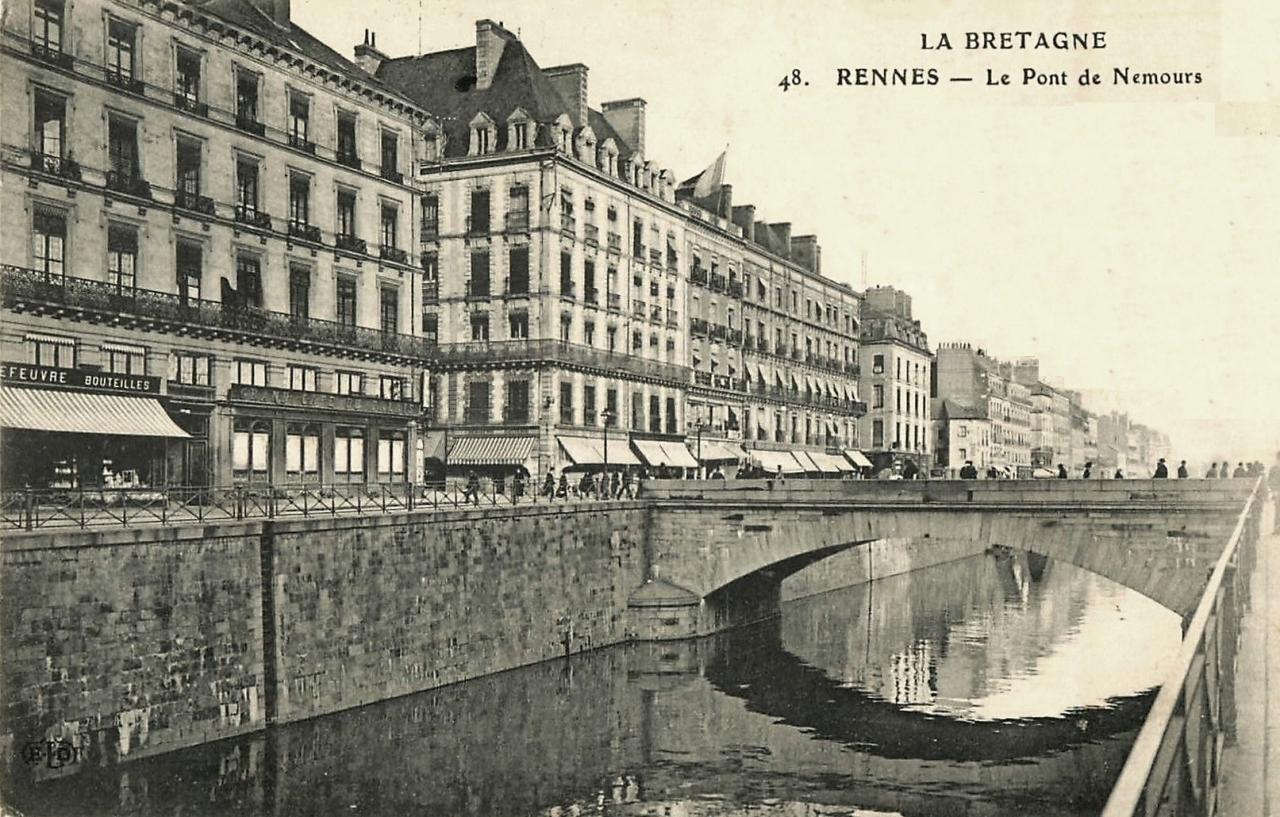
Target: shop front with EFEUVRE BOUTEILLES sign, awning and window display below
pixel 71 430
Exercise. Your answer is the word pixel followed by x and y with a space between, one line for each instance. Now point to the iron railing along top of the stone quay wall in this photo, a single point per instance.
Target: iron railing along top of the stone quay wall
pixel 124 508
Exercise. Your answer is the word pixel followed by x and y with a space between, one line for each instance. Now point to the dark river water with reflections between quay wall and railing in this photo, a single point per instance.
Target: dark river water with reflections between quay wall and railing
pixel 991 686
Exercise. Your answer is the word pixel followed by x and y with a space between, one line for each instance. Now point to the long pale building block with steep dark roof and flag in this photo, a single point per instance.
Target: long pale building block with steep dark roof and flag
pixel 586 313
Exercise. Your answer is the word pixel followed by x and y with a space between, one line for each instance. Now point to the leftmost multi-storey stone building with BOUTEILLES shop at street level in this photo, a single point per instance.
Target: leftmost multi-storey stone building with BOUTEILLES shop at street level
pixel 208 208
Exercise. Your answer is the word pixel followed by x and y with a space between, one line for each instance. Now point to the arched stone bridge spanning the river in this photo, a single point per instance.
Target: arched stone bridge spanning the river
pixel 719 553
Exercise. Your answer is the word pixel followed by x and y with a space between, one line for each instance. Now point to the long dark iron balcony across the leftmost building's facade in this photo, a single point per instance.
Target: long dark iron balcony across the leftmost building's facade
pixel 98 302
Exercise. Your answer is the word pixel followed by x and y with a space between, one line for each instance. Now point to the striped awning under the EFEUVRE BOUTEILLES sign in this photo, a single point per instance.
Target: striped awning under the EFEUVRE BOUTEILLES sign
pixel 85 413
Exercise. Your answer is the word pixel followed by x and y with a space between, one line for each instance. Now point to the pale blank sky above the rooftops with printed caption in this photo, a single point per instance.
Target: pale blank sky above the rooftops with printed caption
pixel 1128 236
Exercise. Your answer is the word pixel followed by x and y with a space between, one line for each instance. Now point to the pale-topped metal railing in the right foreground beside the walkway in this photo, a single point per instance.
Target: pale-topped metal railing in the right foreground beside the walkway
pixel 1176 763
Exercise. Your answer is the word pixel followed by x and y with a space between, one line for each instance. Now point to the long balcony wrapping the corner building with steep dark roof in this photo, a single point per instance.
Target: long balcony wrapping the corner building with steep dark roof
pixel 557 353
